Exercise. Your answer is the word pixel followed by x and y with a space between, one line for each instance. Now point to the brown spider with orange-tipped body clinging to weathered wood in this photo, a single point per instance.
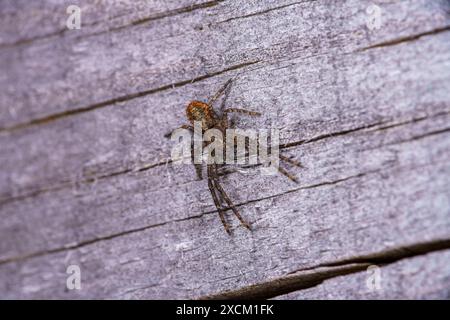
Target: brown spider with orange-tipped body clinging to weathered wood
pixel 209 118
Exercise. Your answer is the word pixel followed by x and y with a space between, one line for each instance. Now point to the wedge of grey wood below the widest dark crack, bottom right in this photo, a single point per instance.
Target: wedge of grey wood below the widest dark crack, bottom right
pixel 424 277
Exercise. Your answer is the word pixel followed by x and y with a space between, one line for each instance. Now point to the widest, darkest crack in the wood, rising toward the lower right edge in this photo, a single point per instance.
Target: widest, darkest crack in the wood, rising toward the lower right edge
pixel 310 277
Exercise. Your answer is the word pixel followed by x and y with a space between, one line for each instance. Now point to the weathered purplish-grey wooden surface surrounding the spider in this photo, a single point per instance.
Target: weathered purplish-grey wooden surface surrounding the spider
pixel 85 179
